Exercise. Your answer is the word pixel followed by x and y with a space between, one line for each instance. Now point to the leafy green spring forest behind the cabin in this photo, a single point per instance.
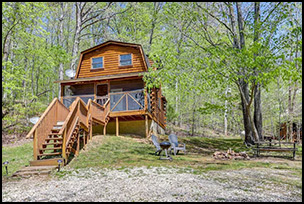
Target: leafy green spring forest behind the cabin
pixel 224 66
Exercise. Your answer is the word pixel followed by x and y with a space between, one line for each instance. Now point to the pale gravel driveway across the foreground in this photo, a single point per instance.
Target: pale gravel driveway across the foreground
pixel 158 184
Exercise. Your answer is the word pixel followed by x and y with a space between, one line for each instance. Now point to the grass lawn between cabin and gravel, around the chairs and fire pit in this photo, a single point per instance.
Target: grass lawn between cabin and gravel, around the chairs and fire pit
pixel 123 151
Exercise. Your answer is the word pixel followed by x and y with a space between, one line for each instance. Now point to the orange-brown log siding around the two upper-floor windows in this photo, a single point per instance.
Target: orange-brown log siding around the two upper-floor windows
pixel 111 61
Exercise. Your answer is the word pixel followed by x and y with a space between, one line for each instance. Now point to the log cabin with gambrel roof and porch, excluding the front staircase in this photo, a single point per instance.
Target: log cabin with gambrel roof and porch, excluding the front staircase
pixel 113 71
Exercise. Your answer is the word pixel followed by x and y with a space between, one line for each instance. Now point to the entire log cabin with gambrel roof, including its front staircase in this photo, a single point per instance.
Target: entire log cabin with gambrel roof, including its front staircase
pixel 106 96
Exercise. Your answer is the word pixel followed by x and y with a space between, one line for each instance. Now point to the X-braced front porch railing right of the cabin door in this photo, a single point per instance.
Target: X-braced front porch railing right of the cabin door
pixel 127 101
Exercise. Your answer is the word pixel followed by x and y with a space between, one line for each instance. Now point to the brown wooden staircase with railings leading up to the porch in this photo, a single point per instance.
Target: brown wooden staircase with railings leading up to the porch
pixel 60 130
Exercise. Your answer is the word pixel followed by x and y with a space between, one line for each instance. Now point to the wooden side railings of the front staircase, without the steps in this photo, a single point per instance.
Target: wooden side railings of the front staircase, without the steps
pixel 77 113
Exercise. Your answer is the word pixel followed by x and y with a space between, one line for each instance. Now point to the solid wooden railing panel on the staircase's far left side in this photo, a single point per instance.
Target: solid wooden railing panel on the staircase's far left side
pixel 56 111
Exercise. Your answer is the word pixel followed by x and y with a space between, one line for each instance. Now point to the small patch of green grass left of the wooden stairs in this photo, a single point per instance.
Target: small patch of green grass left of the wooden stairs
pixel 17 157
